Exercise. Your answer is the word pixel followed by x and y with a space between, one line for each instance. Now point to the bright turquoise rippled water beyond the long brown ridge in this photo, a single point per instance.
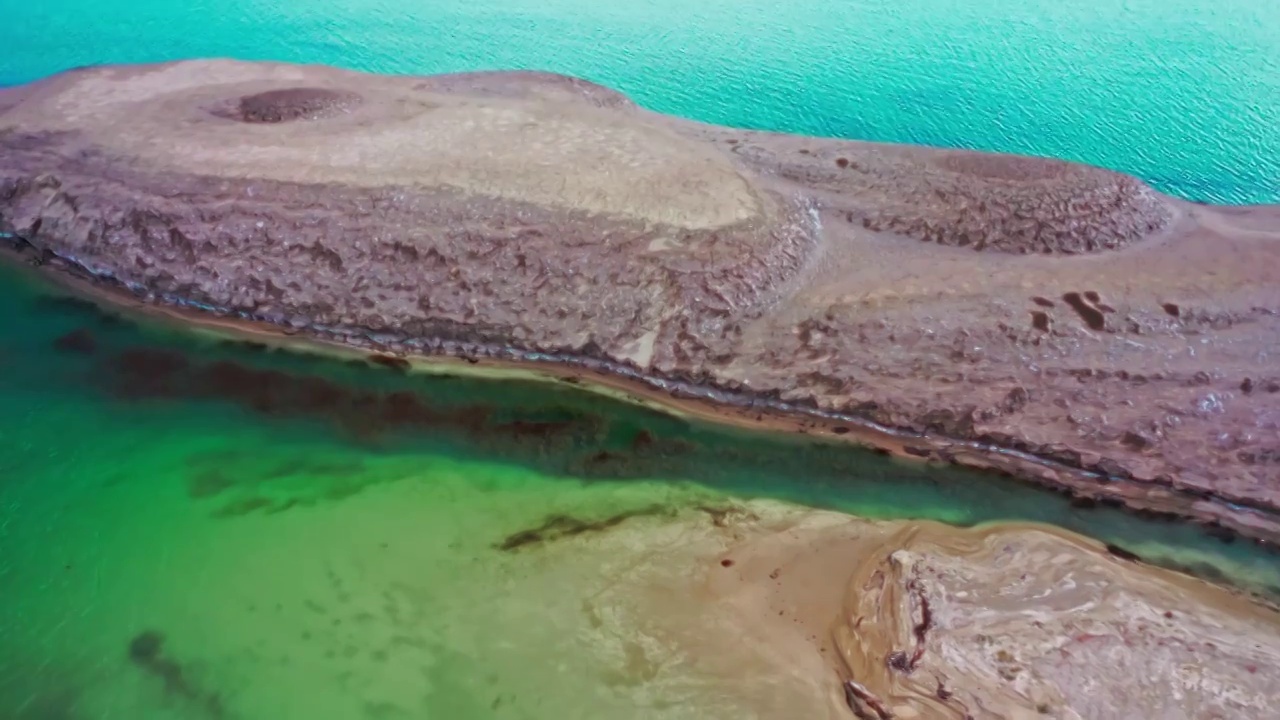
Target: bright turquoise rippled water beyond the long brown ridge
pixel 1185 94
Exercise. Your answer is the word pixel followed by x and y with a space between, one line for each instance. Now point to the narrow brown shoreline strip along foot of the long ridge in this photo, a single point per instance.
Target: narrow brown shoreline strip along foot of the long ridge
pixel 674 398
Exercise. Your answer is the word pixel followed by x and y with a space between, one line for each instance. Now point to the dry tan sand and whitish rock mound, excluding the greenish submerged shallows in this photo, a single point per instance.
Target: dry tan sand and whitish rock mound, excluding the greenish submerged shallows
pixel 1002 622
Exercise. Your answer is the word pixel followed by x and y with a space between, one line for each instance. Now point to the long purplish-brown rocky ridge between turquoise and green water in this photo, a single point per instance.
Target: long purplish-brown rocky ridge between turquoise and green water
pixel 748 281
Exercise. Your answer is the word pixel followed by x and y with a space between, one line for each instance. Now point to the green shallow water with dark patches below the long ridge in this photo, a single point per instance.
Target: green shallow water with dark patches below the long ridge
pixel 323 540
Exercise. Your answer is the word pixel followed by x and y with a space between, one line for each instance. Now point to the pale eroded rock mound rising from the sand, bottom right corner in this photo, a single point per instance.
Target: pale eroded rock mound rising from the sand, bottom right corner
pixel 1031 625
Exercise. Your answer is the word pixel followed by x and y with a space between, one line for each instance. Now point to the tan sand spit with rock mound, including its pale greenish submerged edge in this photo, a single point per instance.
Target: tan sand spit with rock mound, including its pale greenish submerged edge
pixel 771 612
